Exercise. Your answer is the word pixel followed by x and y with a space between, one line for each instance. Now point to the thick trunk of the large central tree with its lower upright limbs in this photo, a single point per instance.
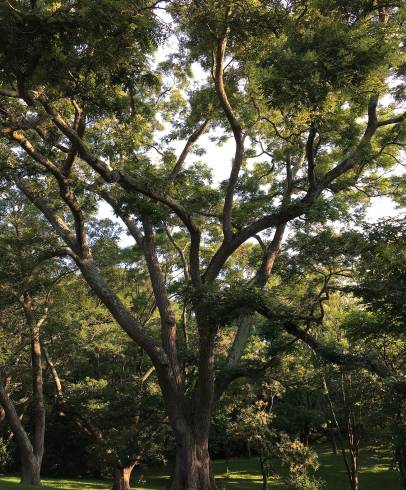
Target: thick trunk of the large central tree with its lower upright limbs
pixel 189 416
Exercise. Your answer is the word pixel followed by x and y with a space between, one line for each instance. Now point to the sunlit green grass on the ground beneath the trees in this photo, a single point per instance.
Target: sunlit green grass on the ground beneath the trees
pixel 243 474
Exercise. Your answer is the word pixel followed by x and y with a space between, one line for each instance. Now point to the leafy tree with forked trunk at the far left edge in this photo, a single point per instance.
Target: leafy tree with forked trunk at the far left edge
pixel 27 282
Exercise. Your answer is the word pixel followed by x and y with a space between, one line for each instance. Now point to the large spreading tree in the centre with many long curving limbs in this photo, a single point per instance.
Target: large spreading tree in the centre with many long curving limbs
pixel 298 85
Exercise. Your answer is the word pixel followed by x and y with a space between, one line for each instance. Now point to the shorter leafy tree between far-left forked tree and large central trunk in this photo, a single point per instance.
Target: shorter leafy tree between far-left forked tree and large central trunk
pixel 104 384
